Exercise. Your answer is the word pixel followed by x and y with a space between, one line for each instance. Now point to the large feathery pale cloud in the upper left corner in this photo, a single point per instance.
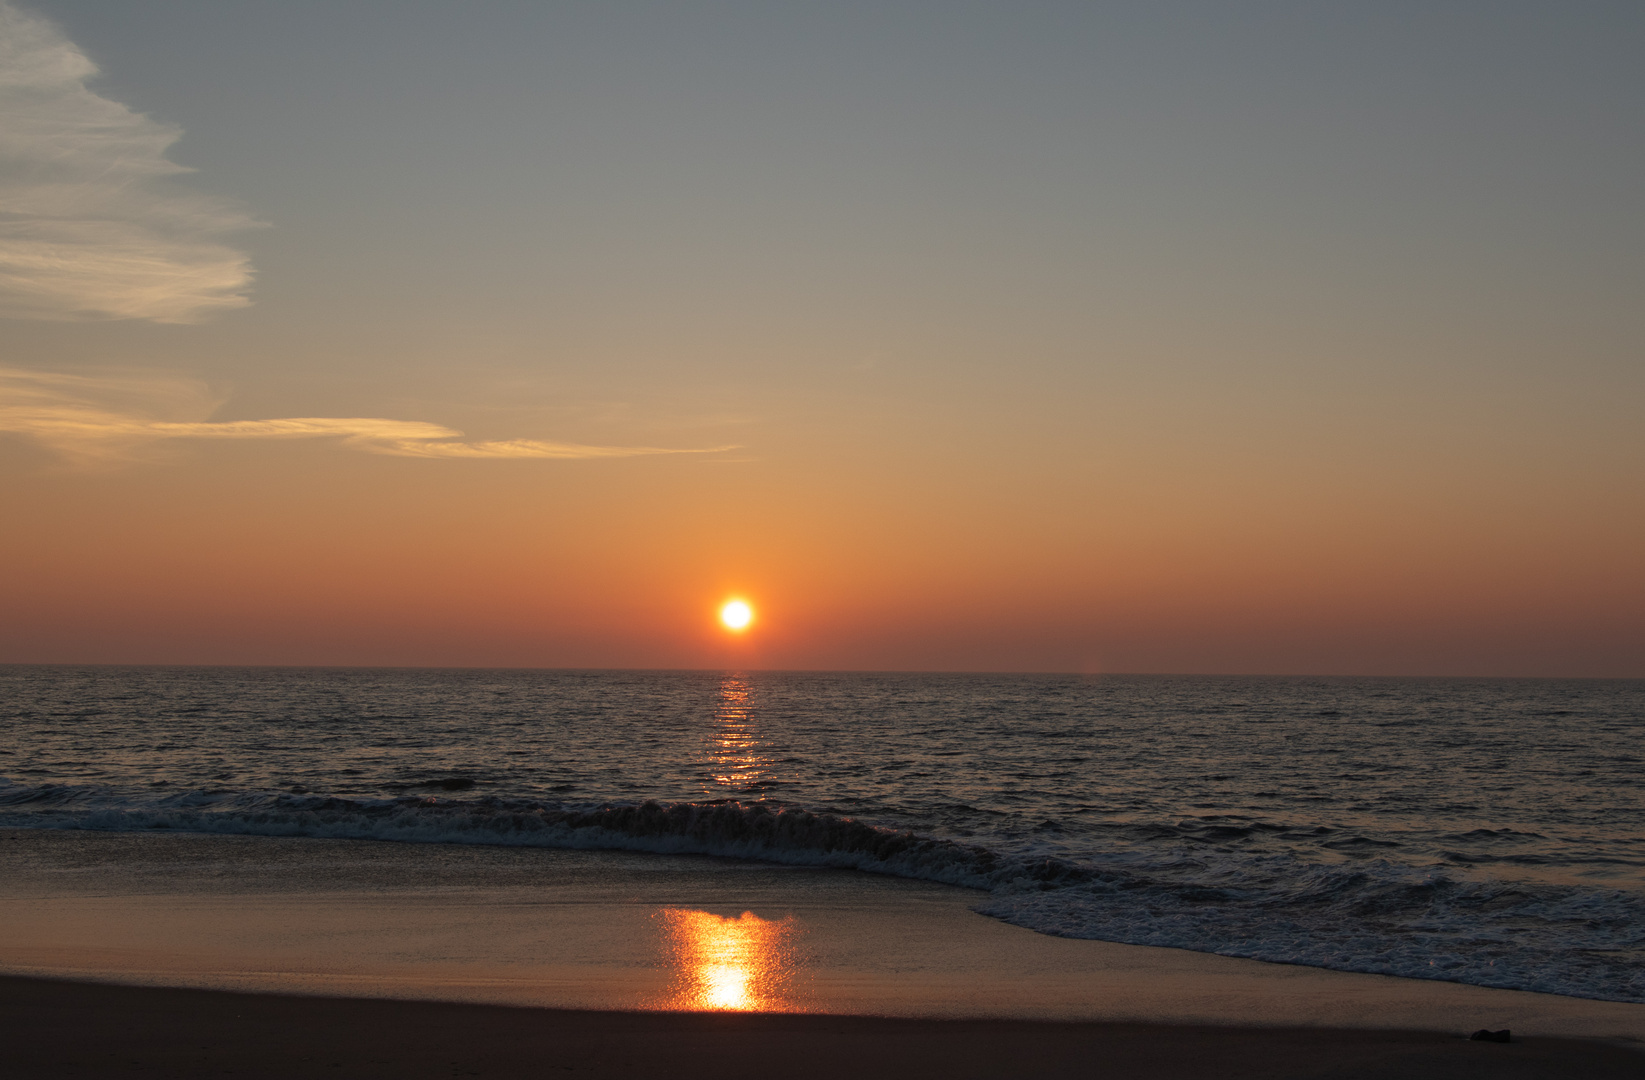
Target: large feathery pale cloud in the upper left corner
pixel 91 223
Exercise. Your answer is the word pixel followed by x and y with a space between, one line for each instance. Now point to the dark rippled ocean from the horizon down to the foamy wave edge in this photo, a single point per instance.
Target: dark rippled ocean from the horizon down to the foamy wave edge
pixel 1486 833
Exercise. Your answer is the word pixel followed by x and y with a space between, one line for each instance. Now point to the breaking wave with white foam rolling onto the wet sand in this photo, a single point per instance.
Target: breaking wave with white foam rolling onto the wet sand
pixel 1368 916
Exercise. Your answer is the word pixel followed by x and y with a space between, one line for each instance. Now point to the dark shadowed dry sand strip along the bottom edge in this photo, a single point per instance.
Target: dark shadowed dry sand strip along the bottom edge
pixel 85 1030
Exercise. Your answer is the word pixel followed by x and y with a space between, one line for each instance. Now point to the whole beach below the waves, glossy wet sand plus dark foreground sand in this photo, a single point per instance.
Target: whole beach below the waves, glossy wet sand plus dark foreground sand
pixel 282 958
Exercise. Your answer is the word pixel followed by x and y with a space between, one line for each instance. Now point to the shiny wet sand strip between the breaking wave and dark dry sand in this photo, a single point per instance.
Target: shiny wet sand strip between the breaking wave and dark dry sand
pixel 626 935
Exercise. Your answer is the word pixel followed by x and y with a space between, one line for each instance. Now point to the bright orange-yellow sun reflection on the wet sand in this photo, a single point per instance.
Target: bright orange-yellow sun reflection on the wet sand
pixel 723 964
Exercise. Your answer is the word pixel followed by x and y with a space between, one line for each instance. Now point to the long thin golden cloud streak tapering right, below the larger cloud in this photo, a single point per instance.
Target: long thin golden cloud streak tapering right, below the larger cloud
pixel 113 417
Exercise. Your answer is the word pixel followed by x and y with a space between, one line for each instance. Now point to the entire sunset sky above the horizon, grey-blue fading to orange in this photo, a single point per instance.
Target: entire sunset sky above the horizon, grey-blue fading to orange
pixel 1106 338
